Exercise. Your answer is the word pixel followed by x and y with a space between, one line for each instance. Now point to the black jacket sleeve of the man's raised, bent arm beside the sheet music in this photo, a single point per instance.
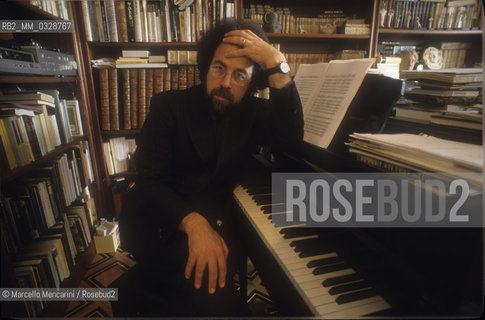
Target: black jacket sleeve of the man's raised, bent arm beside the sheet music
pixel 279 121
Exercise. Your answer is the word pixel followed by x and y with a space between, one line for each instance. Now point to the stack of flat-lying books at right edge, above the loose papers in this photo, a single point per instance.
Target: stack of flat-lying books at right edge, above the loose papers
pixel 448 97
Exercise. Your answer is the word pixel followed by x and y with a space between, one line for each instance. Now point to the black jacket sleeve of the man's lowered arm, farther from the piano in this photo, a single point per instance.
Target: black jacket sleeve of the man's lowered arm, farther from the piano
pixel 154 157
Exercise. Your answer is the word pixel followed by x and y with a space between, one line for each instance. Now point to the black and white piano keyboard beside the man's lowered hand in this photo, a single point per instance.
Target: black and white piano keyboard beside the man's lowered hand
pixel 329 286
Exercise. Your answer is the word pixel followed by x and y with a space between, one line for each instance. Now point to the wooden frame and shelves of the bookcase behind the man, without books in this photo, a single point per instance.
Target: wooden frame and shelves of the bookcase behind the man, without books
pixel 316 43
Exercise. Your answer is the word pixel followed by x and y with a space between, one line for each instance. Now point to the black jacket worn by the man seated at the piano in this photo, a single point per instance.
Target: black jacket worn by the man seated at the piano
pixel 187 160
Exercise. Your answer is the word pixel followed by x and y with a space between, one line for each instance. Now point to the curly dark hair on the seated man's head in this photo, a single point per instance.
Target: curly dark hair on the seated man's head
pixel 209 43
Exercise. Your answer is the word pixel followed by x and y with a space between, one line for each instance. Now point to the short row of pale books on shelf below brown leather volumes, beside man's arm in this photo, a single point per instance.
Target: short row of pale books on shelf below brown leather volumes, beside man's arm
pixel 117 154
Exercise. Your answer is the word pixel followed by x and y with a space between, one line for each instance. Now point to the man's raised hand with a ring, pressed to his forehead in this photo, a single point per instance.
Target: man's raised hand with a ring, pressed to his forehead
pixel 259 51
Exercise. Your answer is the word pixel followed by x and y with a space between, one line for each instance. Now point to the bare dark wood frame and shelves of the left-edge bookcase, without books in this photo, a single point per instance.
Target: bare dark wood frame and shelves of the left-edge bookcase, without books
pixel 77 86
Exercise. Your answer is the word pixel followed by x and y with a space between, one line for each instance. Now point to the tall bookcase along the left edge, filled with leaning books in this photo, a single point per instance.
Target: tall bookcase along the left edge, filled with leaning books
pixel 40 170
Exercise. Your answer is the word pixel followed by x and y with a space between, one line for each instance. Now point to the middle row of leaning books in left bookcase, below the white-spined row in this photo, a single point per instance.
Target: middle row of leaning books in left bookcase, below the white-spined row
pixel 33 205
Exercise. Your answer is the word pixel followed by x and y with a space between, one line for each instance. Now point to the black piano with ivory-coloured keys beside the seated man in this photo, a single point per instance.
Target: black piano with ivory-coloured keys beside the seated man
pixel 347 273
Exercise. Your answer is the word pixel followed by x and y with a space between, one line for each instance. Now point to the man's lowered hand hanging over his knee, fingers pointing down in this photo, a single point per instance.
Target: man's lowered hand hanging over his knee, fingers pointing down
pixel 206 249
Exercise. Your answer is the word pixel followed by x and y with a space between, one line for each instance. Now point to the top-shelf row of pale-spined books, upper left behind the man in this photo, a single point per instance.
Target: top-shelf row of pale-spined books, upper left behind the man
pixel 152 20
